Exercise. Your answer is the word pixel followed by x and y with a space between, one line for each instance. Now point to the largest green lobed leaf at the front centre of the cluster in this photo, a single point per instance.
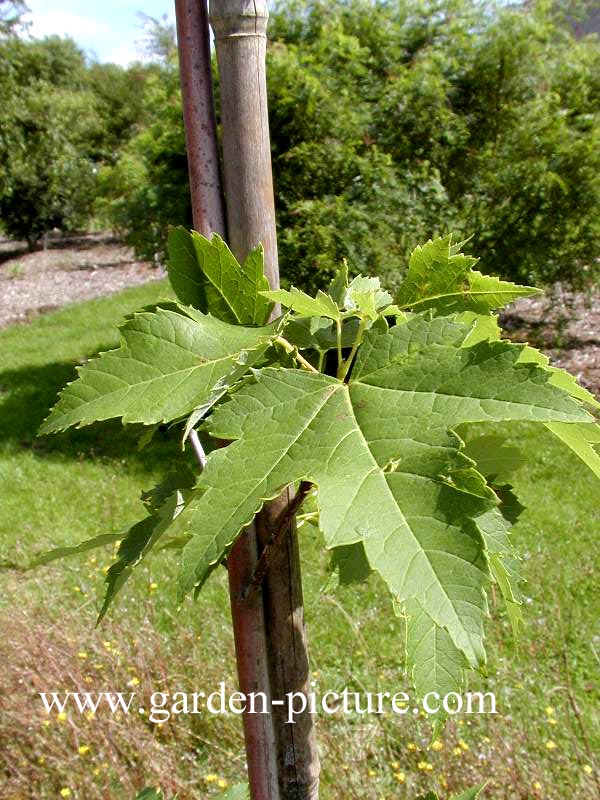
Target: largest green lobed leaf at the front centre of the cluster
pixel 389 471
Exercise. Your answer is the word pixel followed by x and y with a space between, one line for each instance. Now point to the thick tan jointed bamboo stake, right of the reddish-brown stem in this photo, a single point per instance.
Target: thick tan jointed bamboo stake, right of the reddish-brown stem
pixel 240 34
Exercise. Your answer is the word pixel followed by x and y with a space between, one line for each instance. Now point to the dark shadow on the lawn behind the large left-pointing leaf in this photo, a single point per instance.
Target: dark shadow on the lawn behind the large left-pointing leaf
pixel 28 394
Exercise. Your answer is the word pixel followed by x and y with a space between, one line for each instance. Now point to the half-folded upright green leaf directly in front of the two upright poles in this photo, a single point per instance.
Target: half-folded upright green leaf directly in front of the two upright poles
pixel 206 275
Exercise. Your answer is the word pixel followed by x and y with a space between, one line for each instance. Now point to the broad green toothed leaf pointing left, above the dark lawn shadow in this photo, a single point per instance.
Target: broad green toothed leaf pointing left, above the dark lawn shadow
pixel 168 364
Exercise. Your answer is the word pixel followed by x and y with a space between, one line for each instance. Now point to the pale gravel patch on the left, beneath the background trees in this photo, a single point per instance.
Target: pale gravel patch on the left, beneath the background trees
pixel 71 269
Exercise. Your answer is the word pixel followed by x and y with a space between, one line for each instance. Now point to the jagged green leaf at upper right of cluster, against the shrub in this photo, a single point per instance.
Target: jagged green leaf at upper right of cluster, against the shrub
pixel 443 279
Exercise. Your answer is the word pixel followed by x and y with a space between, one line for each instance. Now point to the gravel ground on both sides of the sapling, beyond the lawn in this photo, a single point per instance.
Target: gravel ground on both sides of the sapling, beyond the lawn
pixel 565 325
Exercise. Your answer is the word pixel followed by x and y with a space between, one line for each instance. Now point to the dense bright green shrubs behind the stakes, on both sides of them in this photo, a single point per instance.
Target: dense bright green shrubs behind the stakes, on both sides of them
pixel 391 122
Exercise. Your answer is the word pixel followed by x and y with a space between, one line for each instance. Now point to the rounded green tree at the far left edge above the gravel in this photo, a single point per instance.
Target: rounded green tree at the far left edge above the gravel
pixel 49 117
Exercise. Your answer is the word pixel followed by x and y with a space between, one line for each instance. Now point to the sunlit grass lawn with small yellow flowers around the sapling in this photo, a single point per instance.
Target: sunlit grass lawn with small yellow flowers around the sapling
pixel 65 488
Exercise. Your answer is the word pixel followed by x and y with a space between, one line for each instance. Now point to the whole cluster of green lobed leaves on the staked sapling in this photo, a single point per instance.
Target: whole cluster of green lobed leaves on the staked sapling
pixel 359 400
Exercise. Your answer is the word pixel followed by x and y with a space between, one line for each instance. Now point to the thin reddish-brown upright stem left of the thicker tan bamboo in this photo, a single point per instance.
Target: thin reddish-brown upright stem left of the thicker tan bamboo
pixel 209 215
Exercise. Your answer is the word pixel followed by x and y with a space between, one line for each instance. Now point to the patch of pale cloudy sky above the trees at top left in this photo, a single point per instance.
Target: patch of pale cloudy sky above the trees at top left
pixel 108 30
